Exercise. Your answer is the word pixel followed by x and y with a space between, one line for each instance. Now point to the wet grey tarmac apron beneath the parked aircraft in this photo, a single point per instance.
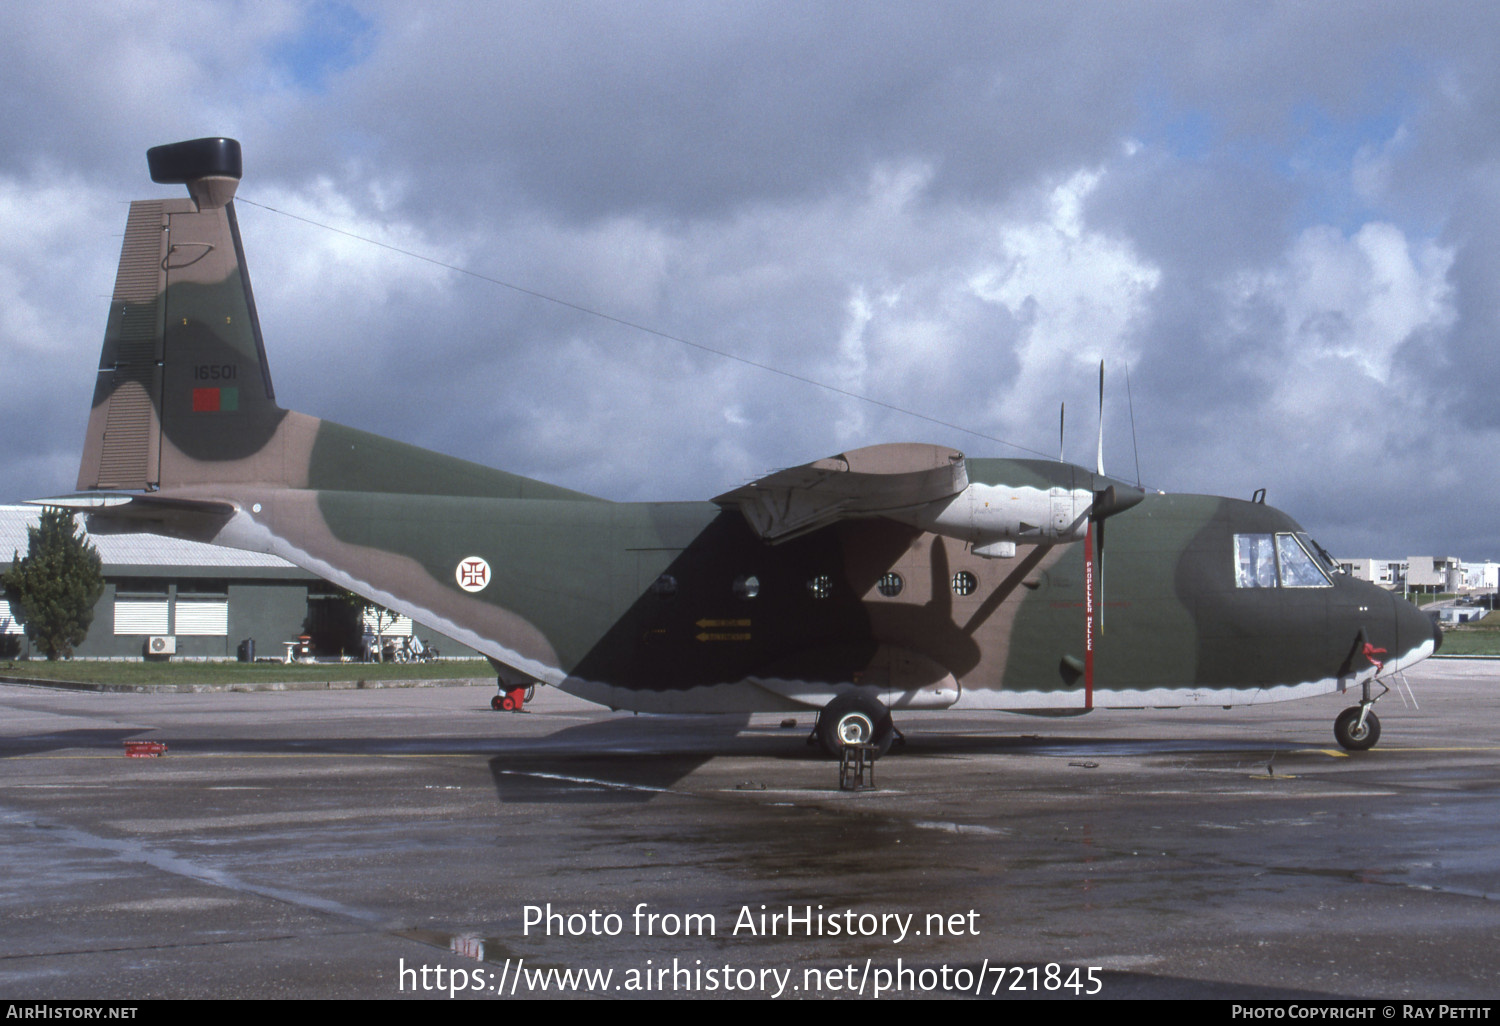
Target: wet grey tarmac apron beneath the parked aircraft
pixel 355 844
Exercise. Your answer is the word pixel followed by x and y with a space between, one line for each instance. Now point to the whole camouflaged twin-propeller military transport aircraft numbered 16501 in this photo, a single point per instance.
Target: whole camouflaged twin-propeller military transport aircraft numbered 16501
pixel 901 577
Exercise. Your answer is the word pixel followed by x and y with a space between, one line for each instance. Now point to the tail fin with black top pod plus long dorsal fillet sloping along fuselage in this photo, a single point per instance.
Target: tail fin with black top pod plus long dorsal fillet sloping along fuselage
pixel 184 400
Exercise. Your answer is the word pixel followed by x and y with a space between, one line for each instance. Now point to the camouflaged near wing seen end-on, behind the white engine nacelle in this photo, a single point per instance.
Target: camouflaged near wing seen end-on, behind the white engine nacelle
pixel 863 482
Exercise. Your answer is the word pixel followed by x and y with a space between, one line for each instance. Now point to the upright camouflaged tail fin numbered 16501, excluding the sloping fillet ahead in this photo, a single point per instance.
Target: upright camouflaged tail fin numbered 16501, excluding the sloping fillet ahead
pixel 182 377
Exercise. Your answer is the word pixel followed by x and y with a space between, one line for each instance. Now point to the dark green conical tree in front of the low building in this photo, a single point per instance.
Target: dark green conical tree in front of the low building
pixel 56 587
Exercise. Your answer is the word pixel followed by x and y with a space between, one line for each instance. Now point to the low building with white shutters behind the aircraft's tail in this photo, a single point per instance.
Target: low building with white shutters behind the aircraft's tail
pixel 202 602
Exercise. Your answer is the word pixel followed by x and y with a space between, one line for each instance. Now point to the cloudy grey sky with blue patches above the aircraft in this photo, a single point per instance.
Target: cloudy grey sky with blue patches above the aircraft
pixel 1283 218
